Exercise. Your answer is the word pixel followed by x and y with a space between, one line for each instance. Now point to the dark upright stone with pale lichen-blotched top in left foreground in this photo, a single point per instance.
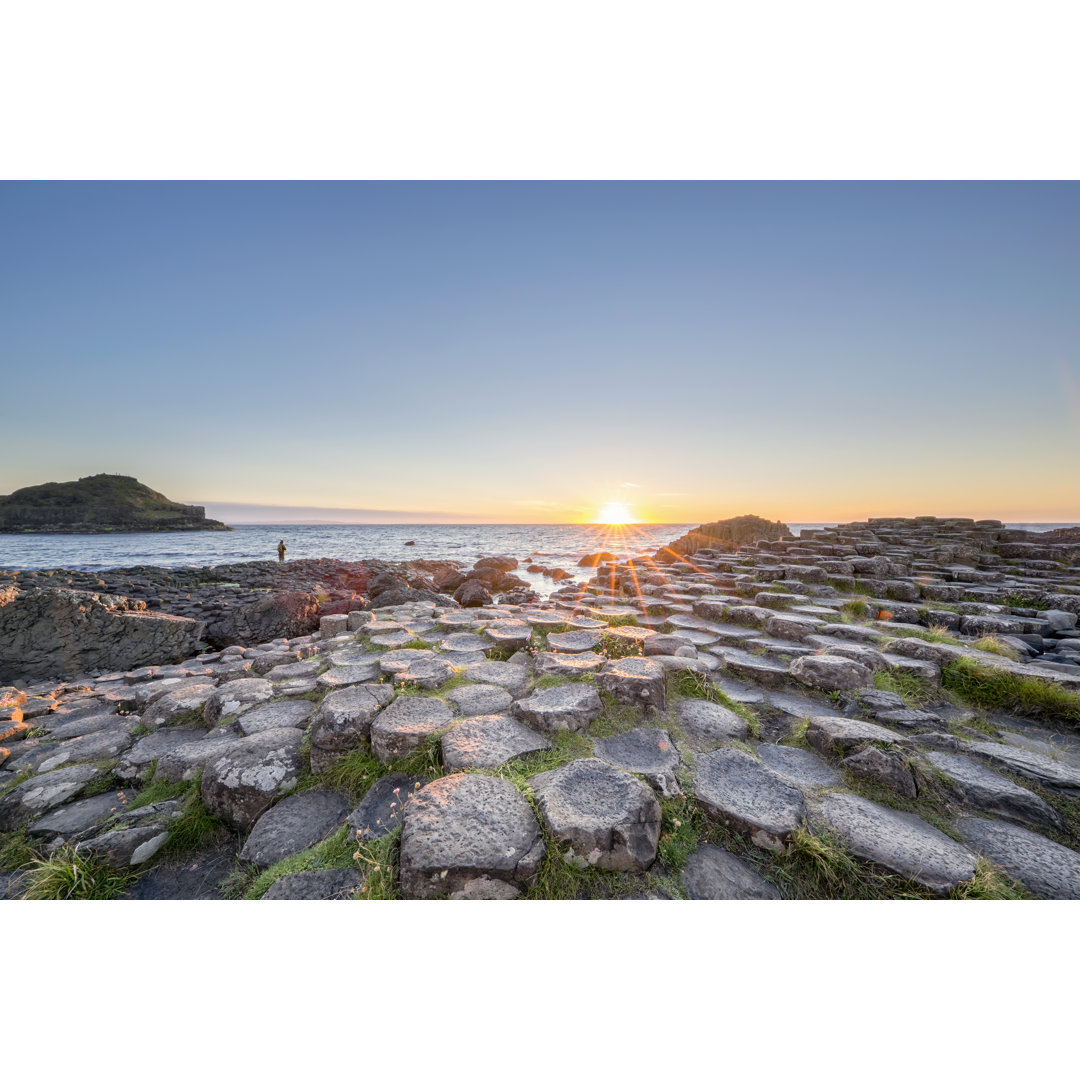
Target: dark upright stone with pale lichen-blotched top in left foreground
pixel 244 782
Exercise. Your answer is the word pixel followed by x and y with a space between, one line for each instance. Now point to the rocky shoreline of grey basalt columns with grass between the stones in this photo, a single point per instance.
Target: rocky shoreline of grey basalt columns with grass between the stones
pixel 888 709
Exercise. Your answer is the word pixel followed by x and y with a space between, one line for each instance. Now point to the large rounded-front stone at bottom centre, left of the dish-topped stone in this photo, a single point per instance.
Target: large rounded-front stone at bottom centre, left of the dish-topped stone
pixel 465 831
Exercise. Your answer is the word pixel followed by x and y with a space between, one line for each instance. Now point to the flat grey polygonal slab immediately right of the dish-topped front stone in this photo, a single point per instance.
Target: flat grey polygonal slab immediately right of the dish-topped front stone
pixel 736 788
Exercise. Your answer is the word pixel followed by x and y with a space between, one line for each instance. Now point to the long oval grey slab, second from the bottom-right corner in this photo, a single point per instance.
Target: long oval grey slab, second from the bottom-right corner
pixel 902 843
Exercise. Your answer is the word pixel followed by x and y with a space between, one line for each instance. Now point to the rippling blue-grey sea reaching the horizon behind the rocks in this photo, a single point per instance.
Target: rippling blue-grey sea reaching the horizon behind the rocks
pixel 555 546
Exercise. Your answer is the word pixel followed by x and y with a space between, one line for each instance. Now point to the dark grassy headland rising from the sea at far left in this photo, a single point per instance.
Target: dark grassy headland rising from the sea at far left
pixel 102 504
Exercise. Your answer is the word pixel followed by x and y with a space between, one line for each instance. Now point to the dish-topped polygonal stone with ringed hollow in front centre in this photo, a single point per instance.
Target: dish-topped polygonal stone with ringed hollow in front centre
pixel 610 819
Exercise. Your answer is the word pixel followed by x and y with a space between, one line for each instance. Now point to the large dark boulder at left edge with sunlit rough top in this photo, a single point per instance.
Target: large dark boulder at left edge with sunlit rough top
pixel 61 633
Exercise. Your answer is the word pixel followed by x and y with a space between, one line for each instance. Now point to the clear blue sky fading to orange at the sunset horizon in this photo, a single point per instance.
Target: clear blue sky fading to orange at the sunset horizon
pixel 531 352
